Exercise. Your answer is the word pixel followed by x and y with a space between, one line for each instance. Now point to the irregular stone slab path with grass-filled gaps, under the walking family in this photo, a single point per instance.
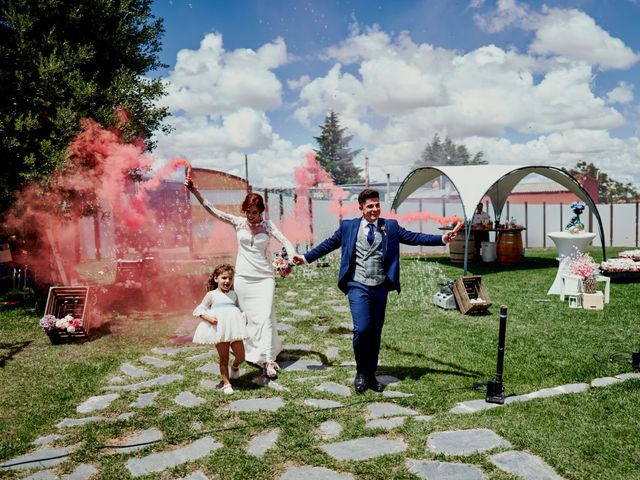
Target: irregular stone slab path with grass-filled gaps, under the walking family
pixel 176 381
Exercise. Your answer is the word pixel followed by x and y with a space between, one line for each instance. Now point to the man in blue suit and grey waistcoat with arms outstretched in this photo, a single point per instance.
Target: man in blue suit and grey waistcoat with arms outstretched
pixel 369 268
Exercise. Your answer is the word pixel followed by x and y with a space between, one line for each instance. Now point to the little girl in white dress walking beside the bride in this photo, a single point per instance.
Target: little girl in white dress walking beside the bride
pixel 222 323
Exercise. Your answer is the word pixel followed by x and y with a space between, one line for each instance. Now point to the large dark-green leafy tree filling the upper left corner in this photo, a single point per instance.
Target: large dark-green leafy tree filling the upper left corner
pixel 61 61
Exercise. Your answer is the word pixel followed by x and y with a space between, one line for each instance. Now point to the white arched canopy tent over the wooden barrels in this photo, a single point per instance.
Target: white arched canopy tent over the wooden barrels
pixel 474 182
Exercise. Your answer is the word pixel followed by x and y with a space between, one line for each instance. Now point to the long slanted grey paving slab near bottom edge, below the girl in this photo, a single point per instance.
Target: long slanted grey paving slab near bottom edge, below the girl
pixel 156 462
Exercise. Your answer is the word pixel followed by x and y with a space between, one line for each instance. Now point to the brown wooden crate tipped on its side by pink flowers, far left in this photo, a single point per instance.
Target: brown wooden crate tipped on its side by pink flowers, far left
pixel 69 300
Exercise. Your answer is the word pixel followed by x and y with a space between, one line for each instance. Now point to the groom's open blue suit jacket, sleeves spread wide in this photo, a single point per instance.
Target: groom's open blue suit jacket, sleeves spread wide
pixel 392 236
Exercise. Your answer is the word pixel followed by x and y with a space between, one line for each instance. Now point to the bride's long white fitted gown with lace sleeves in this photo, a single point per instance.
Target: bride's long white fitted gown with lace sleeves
pixel 254 283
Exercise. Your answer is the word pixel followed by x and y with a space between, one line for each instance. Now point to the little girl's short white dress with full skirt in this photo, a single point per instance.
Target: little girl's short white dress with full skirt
pixel 231 323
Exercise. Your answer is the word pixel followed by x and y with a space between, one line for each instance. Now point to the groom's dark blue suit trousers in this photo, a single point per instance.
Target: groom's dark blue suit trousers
pixel 368 305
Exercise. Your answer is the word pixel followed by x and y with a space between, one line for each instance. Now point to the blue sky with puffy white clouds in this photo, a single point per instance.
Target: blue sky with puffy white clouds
pixel 525 82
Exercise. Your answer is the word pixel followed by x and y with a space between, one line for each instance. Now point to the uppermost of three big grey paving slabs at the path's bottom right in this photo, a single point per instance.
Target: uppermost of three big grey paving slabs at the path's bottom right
pixel 465 442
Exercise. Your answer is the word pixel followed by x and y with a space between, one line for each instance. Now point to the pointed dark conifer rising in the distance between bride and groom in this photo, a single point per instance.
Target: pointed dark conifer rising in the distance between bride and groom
pixel 334 154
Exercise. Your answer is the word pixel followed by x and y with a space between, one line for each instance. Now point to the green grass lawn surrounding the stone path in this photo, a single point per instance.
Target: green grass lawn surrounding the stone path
pixel 437 354
